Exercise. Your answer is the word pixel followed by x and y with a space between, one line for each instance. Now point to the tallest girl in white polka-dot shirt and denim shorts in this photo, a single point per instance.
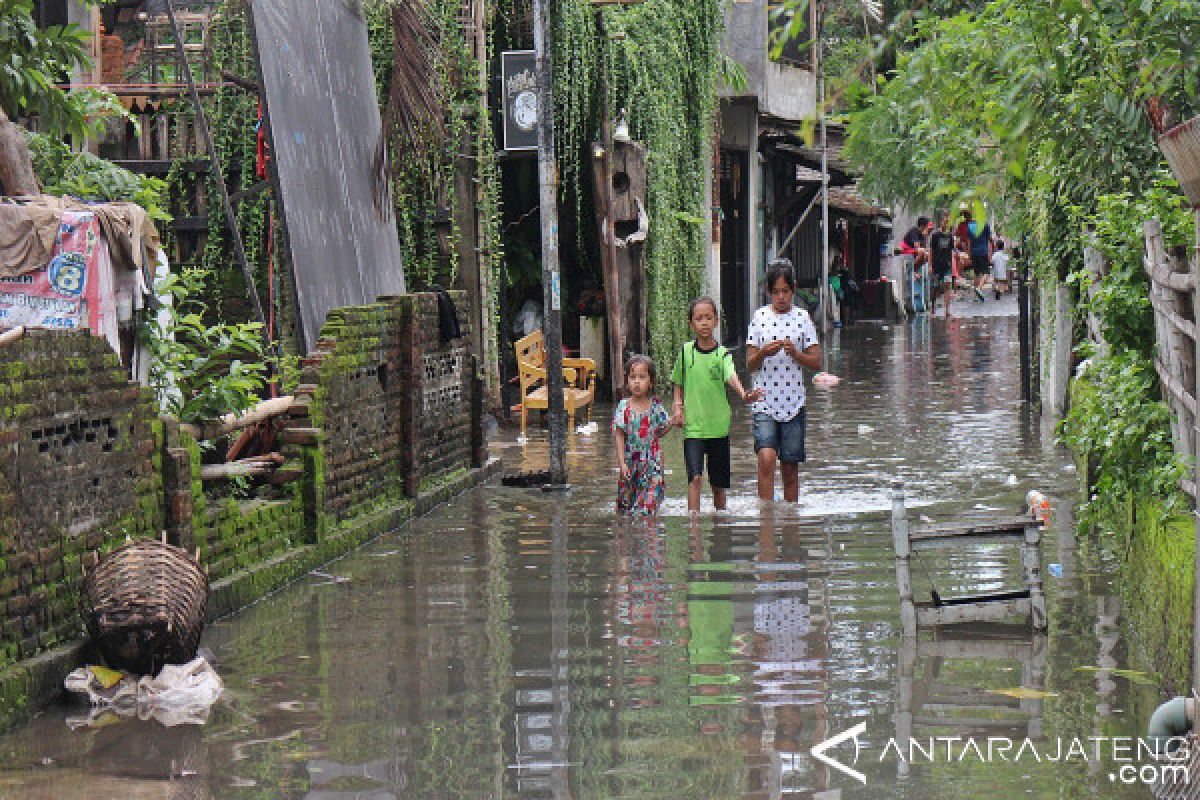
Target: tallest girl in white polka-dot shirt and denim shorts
pixel 782 342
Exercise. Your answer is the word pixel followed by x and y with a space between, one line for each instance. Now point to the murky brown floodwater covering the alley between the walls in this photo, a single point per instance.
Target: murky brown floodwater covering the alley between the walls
pixel 519 645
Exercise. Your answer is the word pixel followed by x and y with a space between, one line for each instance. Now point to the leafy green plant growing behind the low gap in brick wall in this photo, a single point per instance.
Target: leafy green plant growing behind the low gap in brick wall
pixel 202 371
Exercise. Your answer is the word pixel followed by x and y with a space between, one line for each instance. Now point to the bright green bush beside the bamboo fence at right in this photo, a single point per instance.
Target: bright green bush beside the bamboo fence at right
pixel 1118 419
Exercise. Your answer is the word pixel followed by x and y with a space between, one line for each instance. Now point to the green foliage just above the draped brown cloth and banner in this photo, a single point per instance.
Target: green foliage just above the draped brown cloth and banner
pixel 93 179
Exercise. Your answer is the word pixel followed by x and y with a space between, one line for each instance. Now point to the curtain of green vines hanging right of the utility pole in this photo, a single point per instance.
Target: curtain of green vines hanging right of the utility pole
pixel 663 62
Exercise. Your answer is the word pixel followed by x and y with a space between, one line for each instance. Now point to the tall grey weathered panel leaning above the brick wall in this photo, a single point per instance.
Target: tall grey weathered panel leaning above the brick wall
pixel 329 155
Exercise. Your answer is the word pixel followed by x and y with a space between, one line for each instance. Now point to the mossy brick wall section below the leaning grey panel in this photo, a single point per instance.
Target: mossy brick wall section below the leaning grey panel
pixel 392 402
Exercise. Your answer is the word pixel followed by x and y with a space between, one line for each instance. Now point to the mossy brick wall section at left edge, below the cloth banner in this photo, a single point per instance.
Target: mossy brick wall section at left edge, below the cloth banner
pixel 80 471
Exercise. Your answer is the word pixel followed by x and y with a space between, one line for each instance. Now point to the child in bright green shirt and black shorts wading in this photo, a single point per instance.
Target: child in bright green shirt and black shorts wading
pixel 701 406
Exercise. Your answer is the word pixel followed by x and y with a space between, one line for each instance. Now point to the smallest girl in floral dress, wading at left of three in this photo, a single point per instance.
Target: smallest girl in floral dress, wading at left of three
pixel 639 423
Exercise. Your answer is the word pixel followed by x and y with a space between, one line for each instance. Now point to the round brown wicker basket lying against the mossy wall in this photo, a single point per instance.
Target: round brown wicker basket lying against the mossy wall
pixel 145 606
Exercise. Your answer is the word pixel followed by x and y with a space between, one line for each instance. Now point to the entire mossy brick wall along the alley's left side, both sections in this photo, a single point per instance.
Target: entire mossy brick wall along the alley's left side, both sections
pixel 385 412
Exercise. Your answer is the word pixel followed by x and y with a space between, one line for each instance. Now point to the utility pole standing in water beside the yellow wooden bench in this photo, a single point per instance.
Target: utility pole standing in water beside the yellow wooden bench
pixel 551 280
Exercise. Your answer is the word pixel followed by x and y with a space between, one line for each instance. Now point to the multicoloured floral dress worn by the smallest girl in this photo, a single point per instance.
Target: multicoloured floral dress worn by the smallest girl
pixel 644 491
